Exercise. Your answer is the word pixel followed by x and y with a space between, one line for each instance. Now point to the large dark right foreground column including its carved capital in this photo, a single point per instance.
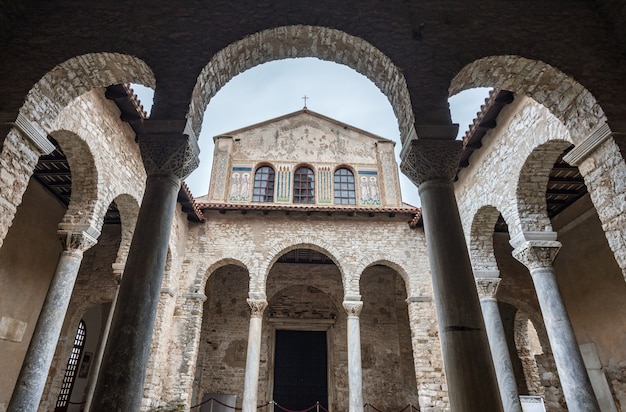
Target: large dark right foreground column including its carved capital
pixel 431 163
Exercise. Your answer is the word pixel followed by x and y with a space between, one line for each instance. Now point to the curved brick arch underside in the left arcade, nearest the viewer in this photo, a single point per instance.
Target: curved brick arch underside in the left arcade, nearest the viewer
pixel 84 200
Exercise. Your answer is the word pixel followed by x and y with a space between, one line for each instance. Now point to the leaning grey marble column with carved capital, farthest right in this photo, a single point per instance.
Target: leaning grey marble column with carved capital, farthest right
pixel 537 256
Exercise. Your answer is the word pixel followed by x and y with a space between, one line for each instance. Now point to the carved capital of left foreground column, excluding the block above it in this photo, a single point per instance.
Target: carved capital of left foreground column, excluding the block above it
pixel 165 153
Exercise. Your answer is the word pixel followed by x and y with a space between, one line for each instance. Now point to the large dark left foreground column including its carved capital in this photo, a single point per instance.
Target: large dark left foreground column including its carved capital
pixel 168 156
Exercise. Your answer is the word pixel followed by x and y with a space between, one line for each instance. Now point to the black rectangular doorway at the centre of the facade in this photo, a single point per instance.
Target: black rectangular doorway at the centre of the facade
pixel 300 375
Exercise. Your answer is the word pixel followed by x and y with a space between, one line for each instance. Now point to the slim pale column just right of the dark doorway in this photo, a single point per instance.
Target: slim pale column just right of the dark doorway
pixel 353 305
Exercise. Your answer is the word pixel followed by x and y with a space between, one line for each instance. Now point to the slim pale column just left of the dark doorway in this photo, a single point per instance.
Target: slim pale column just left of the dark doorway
pixel 258 304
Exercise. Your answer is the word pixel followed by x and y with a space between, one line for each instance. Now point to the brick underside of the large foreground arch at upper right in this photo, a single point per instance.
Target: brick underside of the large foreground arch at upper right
pixel 564 97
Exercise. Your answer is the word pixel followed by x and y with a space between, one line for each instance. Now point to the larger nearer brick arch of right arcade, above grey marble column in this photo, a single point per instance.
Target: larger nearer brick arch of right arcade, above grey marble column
pixel 530 193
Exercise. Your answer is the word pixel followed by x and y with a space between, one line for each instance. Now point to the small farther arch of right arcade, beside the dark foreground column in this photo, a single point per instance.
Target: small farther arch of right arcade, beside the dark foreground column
pixel 480 241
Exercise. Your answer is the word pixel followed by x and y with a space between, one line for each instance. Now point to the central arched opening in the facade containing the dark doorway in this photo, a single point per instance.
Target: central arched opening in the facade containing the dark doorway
pixel 304 290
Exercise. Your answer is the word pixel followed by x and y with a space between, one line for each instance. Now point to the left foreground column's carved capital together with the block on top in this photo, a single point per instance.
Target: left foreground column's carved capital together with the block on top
pixel 168 147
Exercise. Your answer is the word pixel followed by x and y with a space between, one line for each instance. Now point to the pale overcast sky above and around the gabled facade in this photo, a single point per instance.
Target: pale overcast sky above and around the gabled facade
pixel 276 88
